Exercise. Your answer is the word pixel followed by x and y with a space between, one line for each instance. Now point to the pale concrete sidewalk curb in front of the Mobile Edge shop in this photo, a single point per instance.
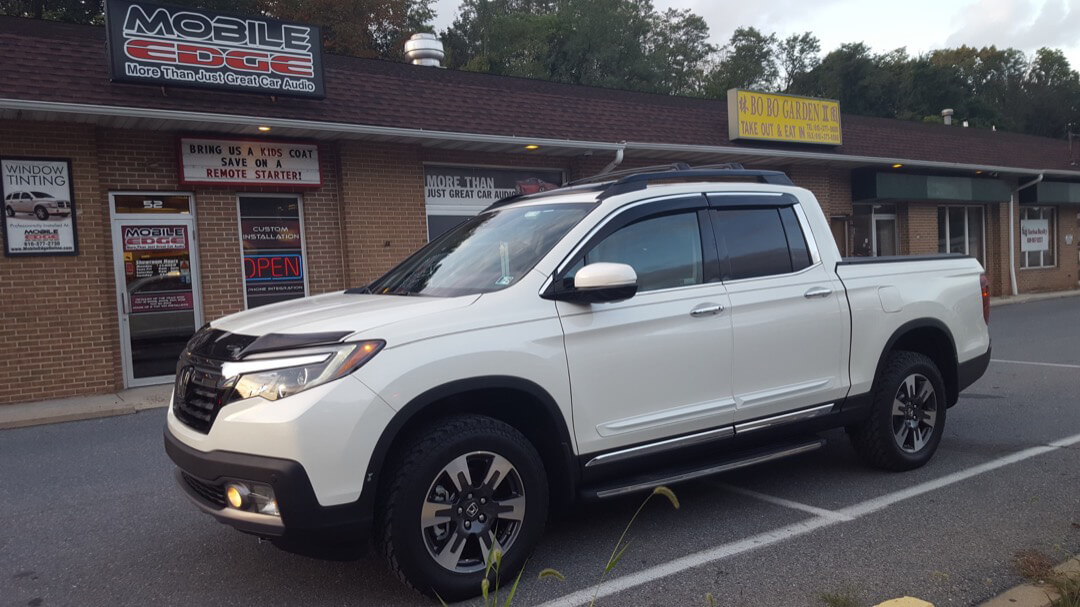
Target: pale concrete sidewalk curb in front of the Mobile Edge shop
pixel 85 408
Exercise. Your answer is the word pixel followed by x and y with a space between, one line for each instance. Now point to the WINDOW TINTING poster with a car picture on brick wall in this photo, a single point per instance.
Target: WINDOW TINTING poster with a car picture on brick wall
pixel 38 208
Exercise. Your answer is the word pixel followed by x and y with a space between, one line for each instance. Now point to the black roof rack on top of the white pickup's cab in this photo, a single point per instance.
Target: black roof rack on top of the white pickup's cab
pixel 633 180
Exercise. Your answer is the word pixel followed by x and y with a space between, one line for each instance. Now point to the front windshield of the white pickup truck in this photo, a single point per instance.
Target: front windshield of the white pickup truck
pixel 488 253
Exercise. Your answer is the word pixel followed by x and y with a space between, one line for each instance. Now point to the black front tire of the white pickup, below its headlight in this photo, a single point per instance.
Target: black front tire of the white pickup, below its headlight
pixel 420 474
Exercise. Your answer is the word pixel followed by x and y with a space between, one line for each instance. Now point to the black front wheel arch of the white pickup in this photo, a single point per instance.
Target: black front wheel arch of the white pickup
pixel 541 421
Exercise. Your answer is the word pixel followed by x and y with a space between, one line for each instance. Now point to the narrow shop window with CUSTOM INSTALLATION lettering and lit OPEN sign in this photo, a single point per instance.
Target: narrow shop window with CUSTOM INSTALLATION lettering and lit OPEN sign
pixel 273 242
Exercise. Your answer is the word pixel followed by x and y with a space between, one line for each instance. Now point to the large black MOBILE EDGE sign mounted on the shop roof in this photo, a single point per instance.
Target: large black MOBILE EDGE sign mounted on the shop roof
pixel 151 44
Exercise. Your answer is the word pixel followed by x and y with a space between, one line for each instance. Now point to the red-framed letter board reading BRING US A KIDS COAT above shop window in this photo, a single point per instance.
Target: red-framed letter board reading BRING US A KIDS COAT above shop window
pixel 249 163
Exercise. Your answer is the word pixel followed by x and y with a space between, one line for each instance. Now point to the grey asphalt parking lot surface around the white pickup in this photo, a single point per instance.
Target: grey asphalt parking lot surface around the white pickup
pixel 90 515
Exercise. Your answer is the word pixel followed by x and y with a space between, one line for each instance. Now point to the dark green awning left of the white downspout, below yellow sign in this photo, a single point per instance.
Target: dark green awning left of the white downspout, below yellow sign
pixel 887 186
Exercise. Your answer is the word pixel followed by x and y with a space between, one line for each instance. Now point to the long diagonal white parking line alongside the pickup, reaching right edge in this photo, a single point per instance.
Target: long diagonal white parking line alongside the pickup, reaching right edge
pixel 768 538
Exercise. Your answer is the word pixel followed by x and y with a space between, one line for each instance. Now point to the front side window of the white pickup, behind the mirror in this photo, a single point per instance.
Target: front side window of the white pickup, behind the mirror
pixel 665 251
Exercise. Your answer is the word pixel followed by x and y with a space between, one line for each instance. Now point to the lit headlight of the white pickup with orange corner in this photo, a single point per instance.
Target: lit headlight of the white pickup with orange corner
pixel 277 375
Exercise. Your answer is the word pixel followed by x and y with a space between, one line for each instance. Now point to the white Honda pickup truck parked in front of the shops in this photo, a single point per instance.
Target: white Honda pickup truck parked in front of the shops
pixel 585 343
